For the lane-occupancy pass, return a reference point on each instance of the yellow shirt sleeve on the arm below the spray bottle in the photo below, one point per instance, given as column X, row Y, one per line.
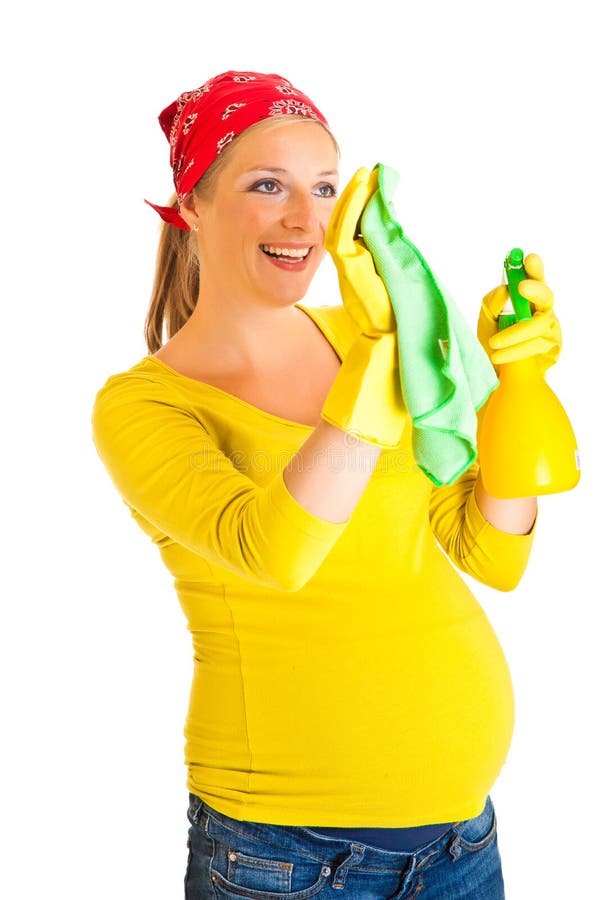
column 493, row 557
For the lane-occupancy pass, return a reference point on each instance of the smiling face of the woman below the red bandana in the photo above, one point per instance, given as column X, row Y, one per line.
column 261, row 234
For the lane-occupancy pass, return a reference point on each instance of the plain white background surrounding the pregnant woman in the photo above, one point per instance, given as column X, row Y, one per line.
column 495, row 115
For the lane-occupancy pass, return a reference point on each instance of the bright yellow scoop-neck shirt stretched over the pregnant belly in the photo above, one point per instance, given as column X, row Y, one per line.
column 344, row 674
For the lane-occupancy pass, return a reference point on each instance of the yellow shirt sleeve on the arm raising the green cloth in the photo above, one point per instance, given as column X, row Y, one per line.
column 166, row 467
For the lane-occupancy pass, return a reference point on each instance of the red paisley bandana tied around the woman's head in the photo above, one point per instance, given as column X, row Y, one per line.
column 201, row 123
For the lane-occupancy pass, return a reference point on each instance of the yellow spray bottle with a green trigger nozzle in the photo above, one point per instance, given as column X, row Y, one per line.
column 526, row 443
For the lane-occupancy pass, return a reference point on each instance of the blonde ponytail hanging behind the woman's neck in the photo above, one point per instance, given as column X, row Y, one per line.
column 176, row 284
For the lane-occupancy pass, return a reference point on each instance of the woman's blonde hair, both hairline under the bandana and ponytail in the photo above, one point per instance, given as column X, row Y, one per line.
column 176, row 280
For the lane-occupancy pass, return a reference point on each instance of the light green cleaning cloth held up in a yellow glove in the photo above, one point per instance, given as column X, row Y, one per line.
column 445, row 374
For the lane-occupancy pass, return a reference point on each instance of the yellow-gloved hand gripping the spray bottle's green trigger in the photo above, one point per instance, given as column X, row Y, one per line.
column 539, row 336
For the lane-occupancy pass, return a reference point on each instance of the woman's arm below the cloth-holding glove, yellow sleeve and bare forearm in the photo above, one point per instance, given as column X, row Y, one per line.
column 165, row 466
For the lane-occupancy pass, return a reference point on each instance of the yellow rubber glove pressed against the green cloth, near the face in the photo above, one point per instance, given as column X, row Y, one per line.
column 365, row 398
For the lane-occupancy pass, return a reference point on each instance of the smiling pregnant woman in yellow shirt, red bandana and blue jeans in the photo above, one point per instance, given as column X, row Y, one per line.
column 351, row 707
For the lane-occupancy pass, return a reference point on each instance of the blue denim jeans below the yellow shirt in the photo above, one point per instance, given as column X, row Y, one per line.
column 229, row 859
